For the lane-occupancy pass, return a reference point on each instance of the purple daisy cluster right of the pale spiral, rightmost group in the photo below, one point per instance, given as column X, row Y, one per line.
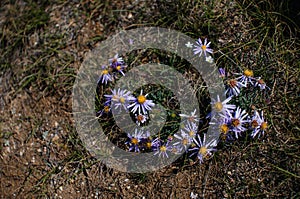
column 235, row 121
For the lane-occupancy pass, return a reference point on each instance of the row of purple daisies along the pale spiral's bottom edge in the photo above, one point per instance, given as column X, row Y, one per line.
column 141, row 141
